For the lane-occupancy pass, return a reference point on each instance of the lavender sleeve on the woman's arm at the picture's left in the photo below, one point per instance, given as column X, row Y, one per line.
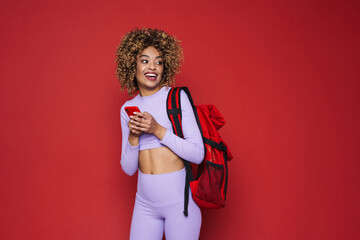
column 129, row 153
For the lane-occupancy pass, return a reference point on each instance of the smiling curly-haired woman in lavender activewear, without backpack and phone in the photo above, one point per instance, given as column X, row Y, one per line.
column 147, row 62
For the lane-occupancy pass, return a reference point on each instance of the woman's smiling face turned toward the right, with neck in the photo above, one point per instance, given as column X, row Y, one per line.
column 149, row 69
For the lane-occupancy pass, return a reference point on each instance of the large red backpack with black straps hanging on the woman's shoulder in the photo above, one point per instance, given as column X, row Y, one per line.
column 210, row 185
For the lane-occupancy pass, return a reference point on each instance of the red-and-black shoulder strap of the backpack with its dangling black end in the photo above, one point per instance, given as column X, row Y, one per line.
column 173, row 106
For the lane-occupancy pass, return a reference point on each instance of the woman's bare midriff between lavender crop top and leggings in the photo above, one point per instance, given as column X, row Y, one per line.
column 159, row 160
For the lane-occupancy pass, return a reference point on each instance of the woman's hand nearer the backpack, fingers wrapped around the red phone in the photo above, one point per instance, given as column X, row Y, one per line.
column 145, row 122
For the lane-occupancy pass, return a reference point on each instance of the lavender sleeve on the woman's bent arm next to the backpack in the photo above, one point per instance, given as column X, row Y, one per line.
column 191, row 148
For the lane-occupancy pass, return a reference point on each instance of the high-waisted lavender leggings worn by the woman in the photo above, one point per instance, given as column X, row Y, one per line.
column 159, row 207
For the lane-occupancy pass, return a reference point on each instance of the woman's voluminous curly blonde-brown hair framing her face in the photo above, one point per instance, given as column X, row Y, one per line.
column 133, row 43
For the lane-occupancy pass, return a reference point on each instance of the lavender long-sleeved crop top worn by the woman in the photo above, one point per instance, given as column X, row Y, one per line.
column 191, row 148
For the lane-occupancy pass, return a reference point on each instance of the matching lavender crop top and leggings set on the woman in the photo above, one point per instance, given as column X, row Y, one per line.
column 159, row 200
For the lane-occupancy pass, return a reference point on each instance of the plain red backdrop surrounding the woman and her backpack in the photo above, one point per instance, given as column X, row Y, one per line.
column 285, row 75
